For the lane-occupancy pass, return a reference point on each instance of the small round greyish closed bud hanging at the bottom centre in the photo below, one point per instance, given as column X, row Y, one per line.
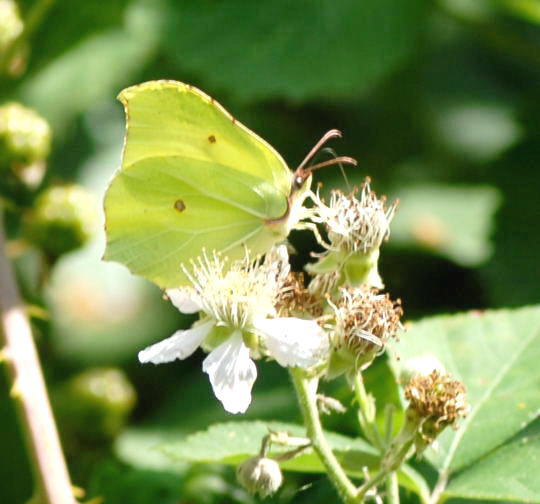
column 260, row 475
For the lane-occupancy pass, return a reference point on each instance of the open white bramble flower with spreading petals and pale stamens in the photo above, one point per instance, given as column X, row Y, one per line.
column 237, row 305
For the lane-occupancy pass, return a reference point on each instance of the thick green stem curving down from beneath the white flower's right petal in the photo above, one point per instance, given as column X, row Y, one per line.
column 308, row 405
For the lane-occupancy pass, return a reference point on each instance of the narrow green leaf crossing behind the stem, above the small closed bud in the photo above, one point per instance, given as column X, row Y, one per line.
column 232, row 442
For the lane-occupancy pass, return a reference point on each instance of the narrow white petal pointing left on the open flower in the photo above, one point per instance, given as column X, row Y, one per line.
column 179, row 346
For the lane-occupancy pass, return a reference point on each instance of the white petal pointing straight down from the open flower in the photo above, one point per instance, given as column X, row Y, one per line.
column 232, row 373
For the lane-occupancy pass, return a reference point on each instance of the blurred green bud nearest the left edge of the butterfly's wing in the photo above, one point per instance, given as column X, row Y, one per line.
column 62, row 220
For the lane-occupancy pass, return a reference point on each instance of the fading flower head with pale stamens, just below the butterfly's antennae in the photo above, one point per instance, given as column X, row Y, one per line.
column 356, row 229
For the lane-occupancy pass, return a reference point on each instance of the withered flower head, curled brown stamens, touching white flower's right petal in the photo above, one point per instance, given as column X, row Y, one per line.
column 364, row 321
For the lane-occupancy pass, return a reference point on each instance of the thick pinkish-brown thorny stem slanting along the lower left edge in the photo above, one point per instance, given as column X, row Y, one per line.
column 53, row 485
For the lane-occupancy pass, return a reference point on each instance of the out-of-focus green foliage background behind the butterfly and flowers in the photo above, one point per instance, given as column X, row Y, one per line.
column 437, row 100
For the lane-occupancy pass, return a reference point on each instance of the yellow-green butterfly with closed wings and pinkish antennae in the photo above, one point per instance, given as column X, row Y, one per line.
column 194, row 178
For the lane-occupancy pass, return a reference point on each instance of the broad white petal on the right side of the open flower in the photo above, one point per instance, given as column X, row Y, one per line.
column 294, row 342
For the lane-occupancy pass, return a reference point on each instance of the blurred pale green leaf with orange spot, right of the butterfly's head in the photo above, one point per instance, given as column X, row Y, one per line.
column 438, row 218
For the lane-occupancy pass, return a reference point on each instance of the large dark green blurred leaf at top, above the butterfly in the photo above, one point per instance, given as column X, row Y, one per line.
column 298, row 50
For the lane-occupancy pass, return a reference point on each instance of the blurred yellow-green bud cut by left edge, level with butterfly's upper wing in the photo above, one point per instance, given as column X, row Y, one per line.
column 25, row 137
